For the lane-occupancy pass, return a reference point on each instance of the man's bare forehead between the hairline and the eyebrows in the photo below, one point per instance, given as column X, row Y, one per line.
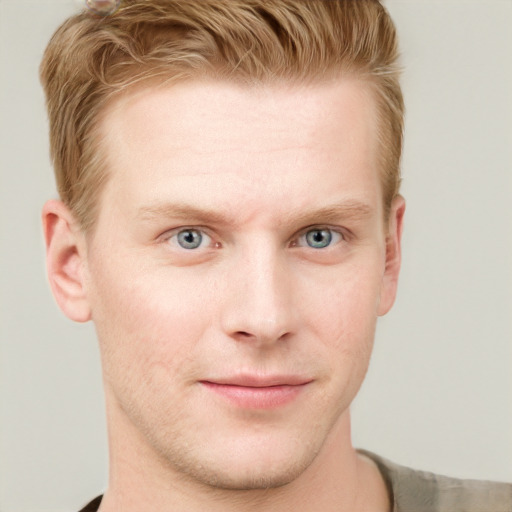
column 226, row 144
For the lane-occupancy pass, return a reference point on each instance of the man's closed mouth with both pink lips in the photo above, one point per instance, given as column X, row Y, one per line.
column 254, row 392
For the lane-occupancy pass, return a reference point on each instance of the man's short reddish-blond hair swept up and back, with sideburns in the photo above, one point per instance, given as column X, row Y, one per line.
column 90, row 59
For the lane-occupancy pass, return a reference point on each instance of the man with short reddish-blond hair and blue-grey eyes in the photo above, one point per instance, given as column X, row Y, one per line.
column 230, row 219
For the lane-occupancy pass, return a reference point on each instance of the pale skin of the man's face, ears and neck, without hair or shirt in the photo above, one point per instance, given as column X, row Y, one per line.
column 235, row 274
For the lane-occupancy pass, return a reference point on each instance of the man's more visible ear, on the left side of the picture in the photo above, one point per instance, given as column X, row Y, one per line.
column 65, row 259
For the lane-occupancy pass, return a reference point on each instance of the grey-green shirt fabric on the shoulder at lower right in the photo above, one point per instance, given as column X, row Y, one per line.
column 421, row 491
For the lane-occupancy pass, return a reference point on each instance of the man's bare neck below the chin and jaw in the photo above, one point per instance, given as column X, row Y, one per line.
column 338, row 480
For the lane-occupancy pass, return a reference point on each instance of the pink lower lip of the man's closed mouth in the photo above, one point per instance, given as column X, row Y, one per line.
column 247, row 397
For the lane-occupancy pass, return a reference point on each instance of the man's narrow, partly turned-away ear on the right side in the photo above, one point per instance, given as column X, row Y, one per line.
column 393, row 255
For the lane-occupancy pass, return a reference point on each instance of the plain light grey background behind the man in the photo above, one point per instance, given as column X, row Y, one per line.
column 439, row 392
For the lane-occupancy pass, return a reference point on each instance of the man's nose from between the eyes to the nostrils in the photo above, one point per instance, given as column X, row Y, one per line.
column 259, row 298
